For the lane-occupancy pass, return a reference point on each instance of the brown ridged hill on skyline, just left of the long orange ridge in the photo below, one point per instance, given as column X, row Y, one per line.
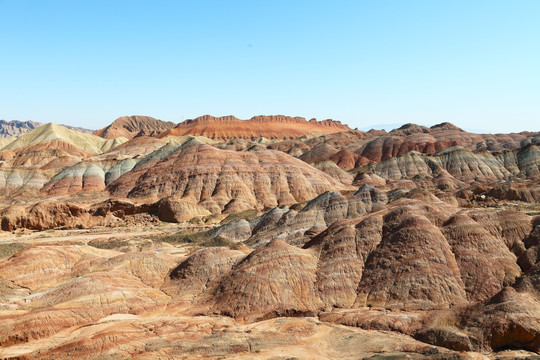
column 131, row 126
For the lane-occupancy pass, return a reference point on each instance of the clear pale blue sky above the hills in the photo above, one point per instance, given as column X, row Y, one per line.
column 85, row 63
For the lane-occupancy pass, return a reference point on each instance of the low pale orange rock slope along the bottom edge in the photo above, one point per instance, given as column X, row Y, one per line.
column 167, row 336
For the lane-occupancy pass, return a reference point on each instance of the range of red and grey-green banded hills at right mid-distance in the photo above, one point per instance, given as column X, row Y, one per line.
column 443, row 155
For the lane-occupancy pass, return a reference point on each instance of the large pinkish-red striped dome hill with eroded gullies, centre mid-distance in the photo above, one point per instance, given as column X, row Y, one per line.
column 223, row 180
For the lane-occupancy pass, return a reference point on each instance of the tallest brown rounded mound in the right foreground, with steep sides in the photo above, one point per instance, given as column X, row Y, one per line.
column 414, row 249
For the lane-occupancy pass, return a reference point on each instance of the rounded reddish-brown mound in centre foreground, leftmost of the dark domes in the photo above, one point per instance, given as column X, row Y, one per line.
column 255, row 289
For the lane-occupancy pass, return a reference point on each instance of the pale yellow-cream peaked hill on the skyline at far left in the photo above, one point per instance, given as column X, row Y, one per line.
column 51, row 132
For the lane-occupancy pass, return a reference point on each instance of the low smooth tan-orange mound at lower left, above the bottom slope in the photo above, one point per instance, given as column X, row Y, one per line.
column 91, row 297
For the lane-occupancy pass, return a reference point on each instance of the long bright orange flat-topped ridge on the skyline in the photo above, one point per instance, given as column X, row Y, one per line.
column 270, row 127
